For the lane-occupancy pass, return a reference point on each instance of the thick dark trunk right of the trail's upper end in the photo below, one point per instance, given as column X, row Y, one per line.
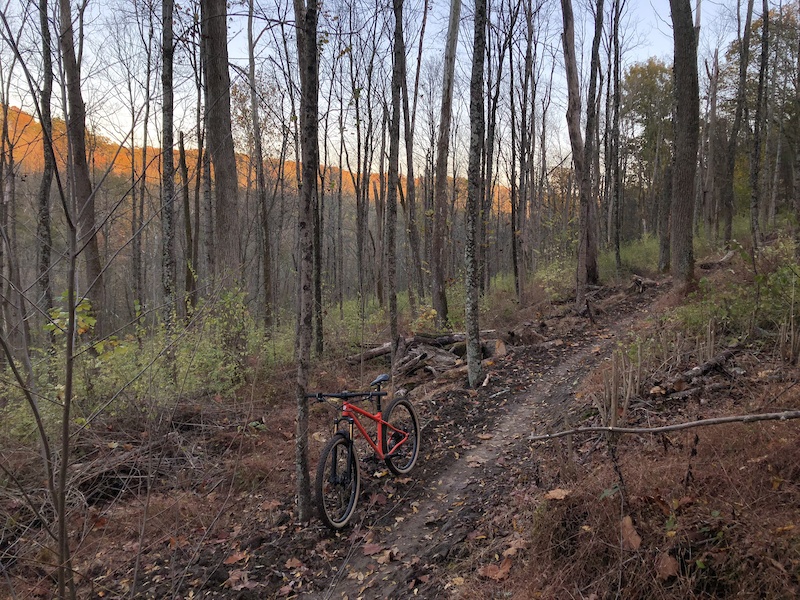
column 687, row 130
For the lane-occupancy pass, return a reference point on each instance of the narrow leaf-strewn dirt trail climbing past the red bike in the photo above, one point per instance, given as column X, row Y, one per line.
column 392, row 556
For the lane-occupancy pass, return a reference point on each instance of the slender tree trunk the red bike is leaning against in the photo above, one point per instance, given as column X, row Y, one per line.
column 306, row 25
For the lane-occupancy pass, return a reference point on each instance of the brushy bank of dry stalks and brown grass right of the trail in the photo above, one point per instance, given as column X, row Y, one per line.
column 704, row 513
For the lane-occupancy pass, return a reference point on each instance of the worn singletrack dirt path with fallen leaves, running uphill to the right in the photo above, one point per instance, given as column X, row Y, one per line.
column 400, row 549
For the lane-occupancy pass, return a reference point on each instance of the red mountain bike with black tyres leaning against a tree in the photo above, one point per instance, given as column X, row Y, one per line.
column 396, row 441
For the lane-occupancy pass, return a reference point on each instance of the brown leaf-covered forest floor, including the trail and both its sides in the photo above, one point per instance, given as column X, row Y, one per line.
column 487, row 512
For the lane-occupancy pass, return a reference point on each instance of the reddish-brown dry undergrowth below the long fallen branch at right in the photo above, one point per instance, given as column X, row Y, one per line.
column 711, row 514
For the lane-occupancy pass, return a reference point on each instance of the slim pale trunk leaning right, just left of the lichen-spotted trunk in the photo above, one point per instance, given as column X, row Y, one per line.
column 438, row 285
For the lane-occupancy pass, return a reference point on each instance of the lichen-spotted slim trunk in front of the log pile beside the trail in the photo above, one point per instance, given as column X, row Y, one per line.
column 474, row 186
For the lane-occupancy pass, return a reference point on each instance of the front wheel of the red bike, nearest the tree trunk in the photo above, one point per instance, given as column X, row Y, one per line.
column 338, row 482
